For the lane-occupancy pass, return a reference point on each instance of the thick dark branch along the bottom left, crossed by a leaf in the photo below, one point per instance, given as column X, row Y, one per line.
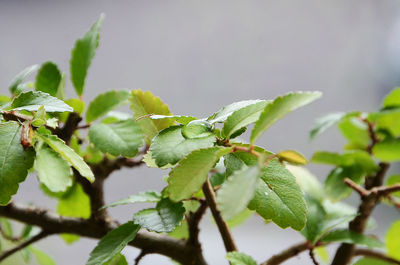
column 150, row 242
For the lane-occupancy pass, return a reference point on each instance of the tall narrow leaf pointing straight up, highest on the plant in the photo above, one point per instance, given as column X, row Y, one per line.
column 82, row 55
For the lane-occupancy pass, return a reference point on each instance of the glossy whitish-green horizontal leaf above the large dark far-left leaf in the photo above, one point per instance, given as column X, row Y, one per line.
column 33, row 100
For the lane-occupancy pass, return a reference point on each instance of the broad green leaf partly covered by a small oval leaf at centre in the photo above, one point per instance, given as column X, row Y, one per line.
column 169, row 146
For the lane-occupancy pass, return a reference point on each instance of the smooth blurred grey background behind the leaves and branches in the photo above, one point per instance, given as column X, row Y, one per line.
column 200, row 55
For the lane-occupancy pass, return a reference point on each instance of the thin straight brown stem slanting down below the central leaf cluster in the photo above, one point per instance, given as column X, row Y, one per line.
column 222, row 226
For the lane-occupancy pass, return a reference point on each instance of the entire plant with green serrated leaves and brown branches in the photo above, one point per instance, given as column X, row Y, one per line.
column 40, row 133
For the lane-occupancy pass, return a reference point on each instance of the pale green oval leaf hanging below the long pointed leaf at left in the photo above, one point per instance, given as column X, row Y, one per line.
column 53, row 171
